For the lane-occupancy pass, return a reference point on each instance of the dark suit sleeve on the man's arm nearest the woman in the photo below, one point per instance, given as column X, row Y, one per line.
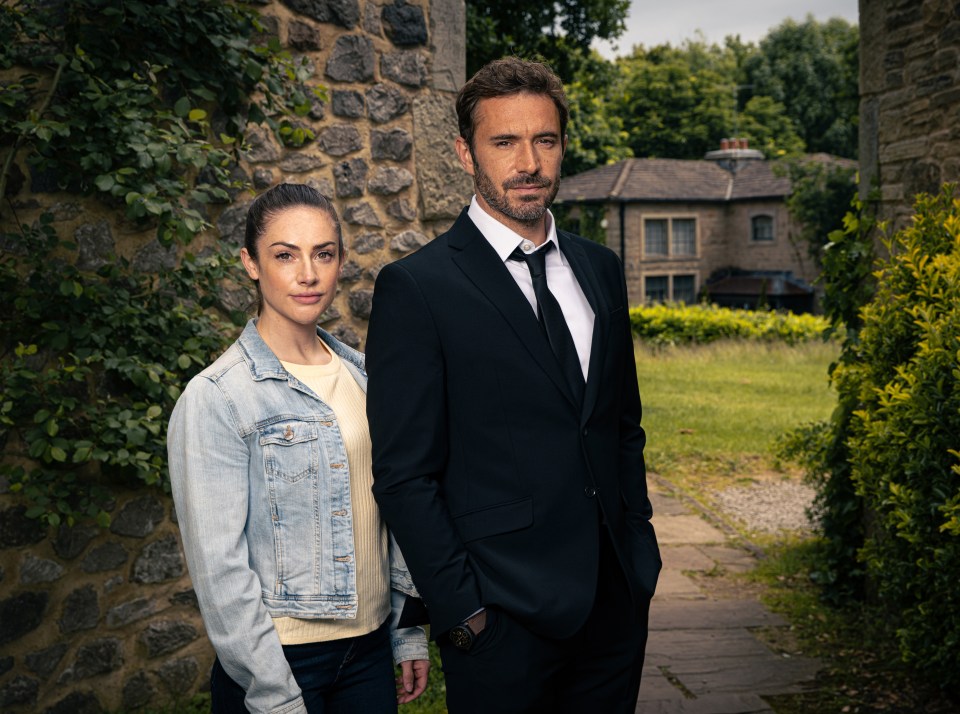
column 406, row 408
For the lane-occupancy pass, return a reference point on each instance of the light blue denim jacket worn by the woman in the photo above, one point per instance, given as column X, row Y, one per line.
column 261, row 485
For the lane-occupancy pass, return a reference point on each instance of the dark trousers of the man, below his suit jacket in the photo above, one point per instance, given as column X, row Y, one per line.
column 511, row 670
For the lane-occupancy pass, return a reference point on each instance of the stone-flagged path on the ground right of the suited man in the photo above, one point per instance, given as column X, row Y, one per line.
column 702, row 655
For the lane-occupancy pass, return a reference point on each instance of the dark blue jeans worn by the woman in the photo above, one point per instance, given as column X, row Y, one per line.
column 348, row 676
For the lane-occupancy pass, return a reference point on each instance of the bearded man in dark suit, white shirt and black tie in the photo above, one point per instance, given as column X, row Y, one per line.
column 505, row 419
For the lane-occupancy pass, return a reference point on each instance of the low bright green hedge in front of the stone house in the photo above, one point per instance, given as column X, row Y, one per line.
column 685, row 324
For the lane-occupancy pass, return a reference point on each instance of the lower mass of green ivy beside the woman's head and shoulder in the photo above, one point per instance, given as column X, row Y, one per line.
column 91, row 365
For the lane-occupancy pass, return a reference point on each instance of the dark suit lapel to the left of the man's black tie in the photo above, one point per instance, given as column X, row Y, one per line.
column 483, row 267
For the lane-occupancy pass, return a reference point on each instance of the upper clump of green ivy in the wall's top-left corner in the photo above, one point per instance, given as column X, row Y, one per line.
column 142, row 103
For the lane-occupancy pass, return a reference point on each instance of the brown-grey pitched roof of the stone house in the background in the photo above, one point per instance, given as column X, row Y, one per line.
column 674, row 180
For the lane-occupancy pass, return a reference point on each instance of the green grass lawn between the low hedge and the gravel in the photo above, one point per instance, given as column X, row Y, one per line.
column 716, row 411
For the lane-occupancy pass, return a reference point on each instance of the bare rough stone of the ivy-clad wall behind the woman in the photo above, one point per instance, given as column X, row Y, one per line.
column 95, row 620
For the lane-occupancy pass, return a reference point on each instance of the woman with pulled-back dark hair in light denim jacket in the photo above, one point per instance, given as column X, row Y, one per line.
column 299, row 583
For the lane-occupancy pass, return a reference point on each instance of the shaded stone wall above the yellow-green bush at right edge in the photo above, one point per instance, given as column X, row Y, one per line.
column 909, row 100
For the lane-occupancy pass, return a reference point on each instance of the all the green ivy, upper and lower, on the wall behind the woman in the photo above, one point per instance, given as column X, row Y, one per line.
column 144, row 106
